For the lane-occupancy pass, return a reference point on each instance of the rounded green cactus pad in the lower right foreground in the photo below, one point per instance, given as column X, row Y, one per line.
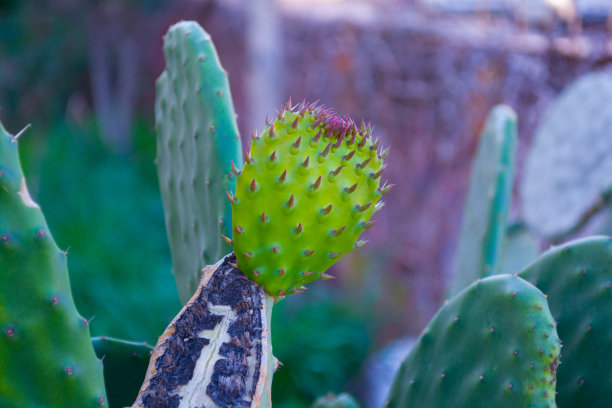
column 493, row 345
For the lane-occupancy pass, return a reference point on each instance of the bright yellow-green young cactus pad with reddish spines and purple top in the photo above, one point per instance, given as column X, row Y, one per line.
column 309, row 186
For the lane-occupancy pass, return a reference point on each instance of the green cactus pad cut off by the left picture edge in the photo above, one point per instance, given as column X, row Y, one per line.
column 46, row 356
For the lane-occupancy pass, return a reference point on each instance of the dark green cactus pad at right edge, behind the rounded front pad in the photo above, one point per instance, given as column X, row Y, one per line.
column 577, row 277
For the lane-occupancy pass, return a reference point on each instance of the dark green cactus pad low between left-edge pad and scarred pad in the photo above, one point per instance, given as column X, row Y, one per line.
column 125, row 366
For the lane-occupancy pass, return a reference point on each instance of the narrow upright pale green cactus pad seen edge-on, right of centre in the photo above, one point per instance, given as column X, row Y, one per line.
column 488, row 201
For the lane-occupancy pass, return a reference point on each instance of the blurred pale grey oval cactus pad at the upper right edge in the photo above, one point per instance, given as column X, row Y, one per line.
column 569, row 168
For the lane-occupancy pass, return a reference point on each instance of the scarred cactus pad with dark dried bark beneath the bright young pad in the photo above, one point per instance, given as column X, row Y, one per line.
column 217, row 350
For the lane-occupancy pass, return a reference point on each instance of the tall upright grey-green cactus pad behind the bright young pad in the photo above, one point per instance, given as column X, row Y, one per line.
column 197, row 141
